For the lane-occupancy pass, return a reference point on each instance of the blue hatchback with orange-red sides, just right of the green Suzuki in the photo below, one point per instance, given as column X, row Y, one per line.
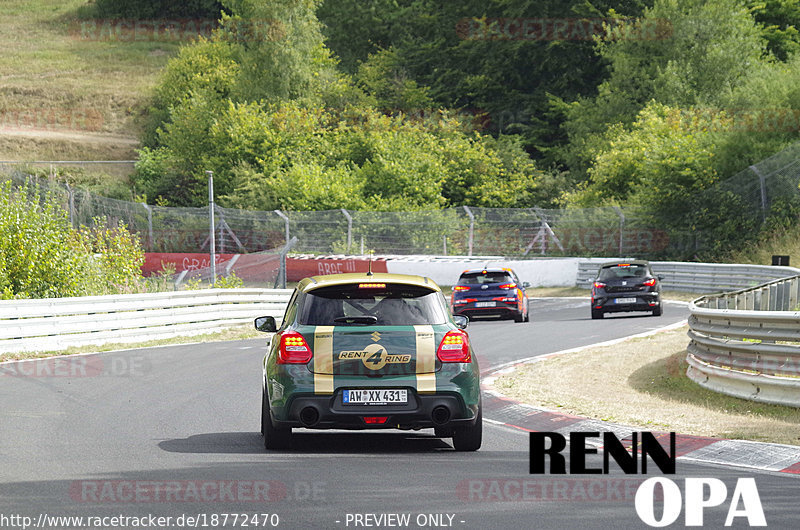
column 490, row 292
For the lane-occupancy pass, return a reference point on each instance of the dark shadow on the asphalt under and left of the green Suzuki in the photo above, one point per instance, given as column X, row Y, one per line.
column 308, row 442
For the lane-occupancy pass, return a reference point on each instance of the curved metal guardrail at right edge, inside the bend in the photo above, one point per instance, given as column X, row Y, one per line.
column 746, row 343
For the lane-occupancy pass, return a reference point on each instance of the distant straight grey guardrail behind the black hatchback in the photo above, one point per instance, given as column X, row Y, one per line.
column 700, row 277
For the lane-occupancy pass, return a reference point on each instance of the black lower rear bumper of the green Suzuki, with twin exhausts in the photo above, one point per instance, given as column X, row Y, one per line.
column 329, row 412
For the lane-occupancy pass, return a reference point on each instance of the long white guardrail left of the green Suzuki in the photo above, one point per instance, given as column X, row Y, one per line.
column 58, row 323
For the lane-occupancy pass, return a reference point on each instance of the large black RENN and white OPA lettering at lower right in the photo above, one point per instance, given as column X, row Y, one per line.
column 691, row 496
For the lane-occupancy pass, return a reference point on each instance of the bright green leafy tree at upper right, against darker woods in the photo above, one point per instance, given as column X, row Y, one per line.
column 710, row 48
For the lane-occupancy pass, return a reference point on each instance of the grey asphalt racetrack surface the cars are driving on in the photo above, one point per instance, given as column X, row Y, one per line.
column 81, row 436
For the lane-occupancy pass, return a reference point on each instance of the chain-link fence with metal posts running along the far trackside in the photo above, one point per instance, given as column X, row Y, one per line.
column 463, row 231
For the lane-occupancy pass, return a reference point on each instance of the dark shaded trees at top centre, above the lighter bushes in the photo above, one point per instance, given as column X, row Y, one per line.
column 460, row 51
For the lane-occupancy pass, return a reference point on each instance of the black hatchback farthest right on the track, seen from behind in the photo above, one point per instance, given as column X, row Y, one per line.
column 626, row 286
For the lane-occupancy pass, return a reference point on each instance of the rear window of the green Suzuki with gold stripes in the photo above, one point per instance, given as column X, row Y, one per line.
column 387, row 305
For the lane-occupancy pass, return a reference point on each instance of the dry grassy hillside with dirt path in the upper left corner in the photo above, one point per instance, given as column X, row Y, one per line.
column 68, row 93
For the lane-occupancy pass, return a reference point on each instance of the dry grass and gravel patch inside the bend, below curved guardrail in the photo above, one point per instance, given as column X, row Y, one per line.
column 642, row 383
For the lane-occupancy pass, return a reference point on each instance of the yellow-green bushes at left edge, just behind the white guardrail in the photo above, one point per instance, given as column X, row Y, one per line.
column 41, row 256
